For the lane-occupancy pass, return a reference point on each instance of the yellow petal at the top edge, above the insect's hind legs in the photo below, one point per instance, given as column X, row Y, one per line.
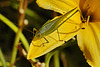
column 61, row 6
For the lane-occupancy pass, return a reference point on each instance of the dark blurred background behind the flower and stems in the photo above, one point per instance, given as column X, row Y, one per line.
column 36, row 17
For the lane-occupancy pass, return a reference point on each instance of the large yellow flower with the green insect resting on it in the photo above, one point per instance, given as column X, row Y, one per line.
column 87, row 23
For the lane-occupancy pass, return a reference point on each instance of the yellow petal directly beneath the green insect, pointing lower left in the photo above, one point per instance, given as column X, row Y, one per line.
column 70, row 30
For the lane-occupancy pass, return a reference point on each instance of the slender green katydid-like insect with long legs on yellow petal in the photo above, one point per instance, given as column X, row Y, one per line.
column 52, row 25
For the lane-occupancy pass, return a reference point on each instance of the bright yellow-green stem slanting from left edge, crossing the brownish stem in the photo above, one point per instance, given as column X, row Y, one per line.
column 15, row 29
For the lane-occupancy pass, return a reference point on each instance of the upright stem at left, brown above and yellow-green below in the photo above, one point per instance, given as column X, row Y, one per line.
column 22, row 7
